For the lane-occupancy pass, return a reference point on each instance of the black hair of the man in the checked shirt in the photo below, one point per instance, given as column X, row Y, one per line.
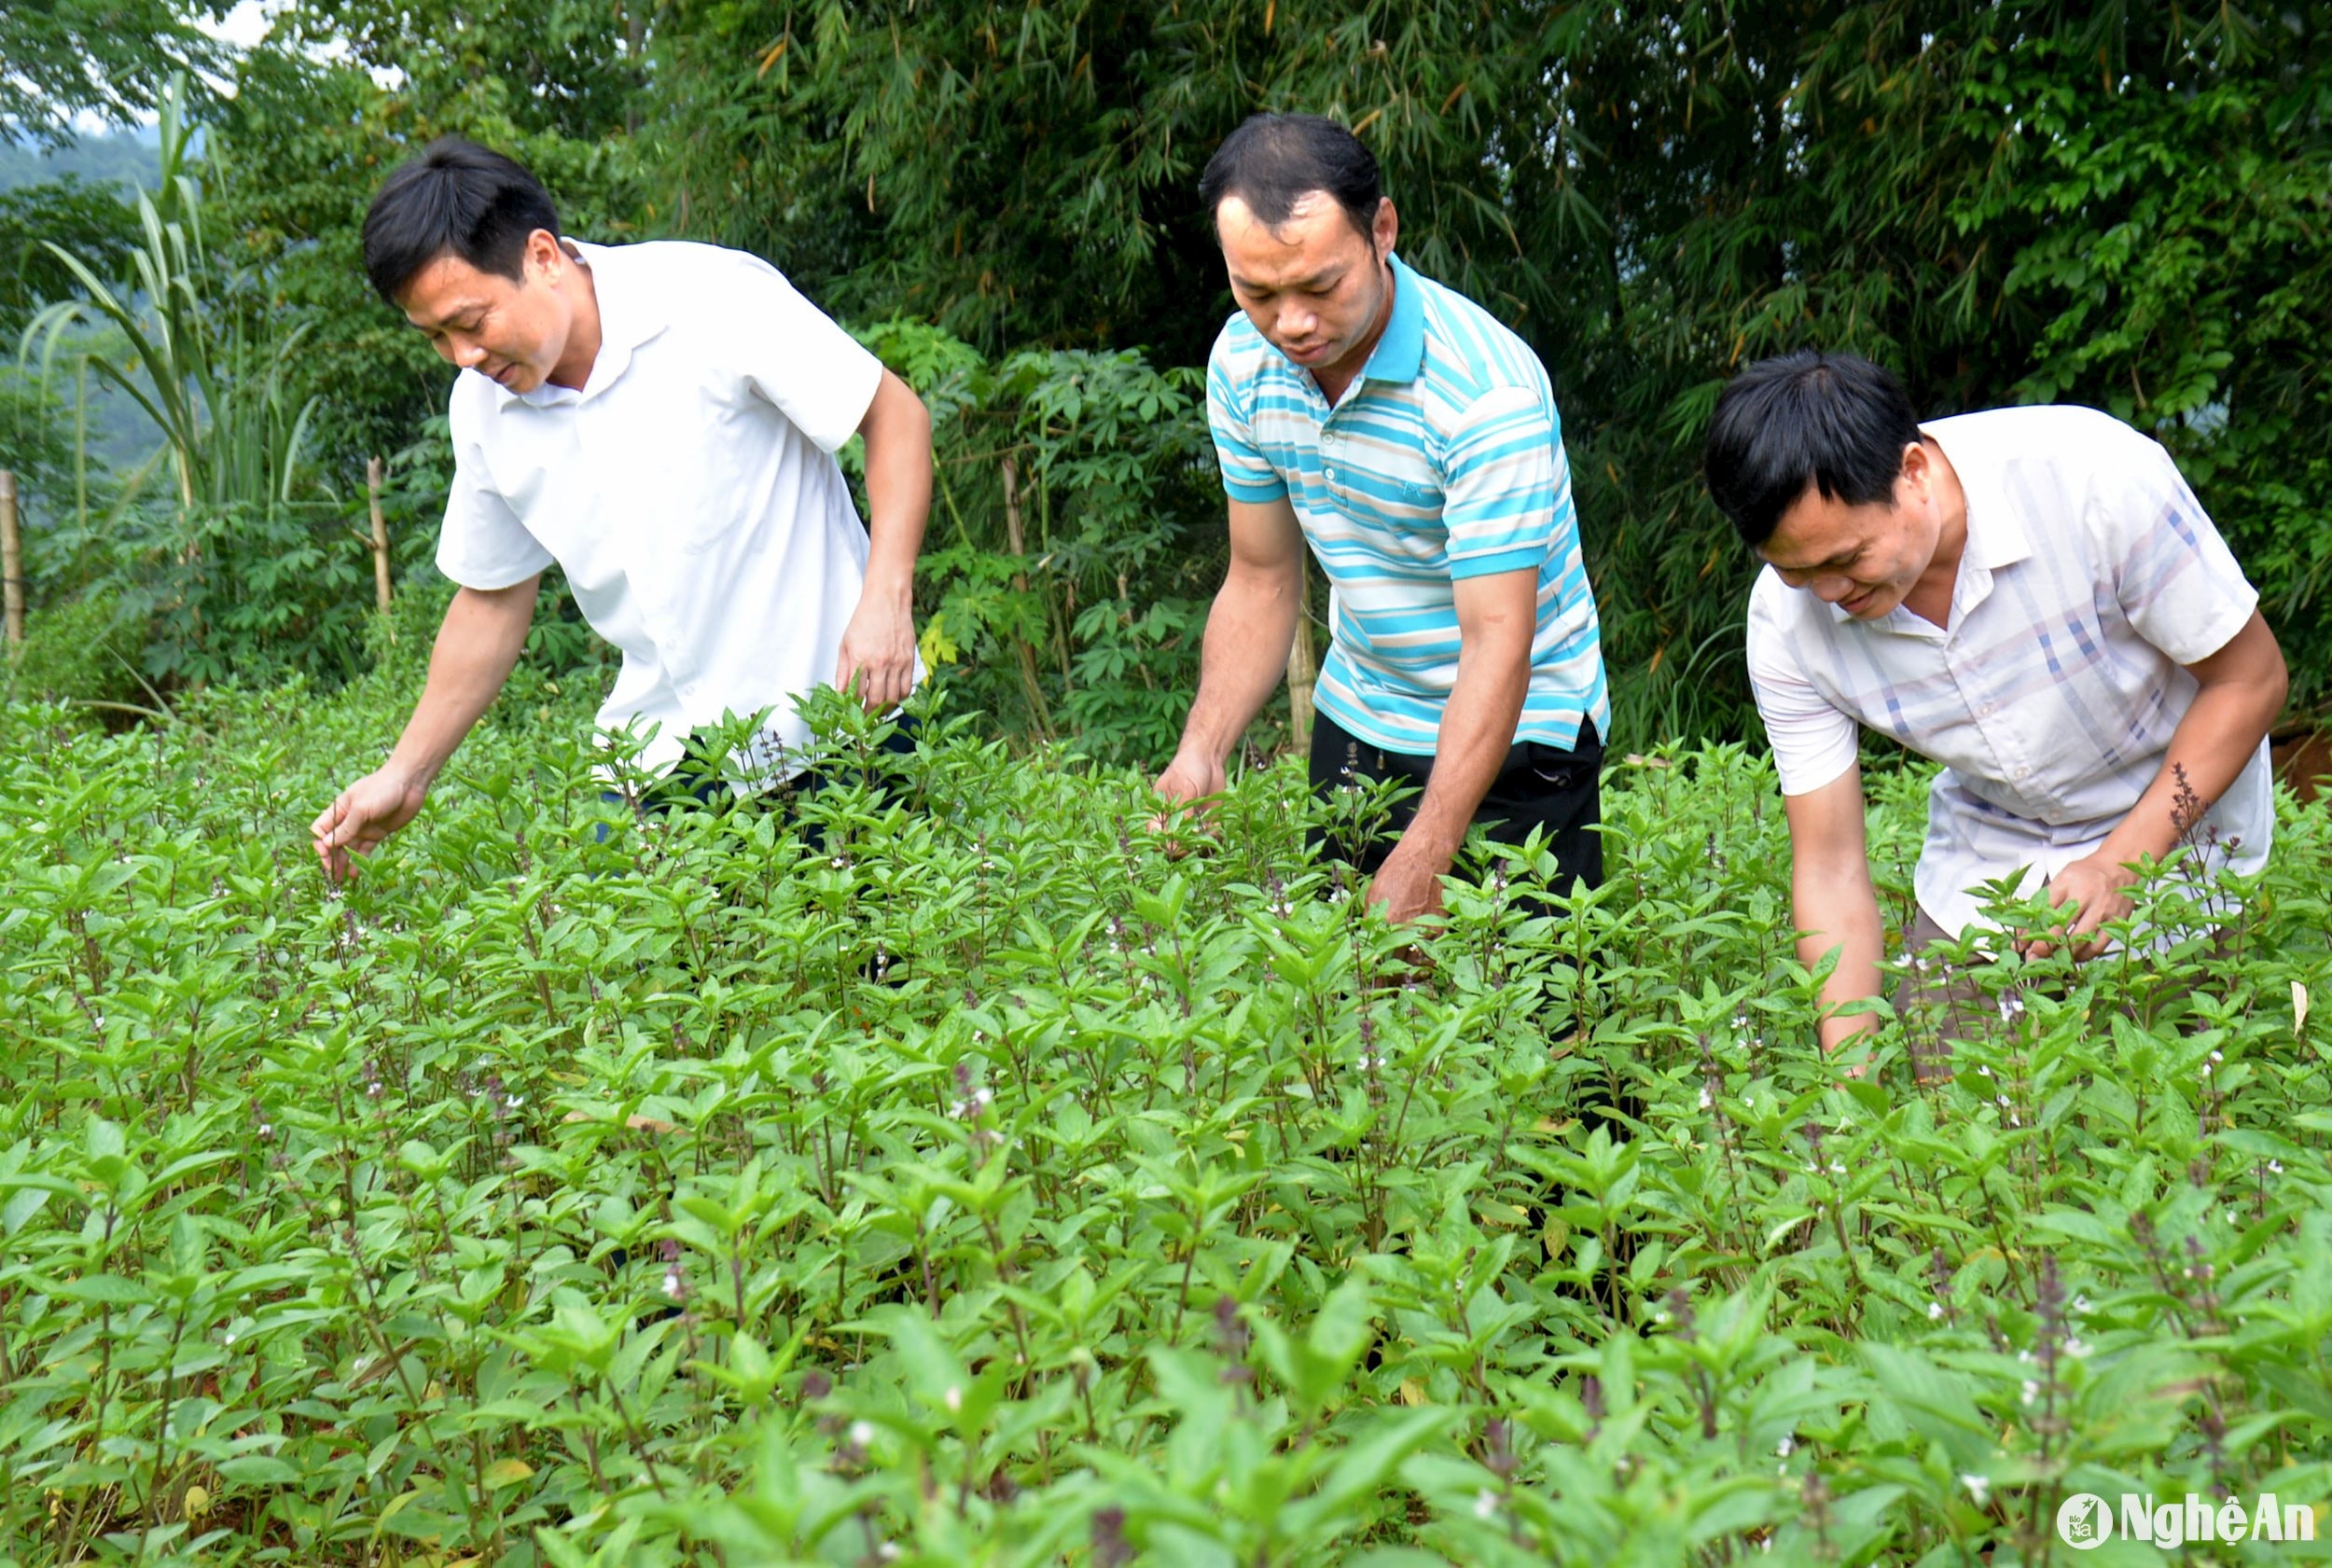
column 1806, row 421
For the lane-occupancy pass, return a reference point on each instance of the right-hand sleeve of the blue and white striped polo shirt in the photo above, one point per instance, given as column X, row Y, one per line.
column 1508, row 491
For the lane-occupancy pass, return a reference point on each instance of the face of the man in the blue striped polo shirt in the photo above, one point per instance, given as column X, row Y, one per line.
column 1316, row 288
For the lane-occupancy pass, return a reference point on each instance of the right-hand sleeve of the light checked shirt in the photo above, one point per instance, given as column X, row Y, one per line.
column 2172, row 575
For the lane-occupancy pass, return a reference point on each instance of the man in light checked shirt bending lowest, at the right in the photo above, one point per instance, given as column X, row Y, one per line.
column 2030, row 598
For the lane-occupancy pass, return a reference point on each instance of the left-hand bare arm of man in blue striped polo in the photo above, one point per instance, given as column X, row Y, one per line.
column 1249, row 633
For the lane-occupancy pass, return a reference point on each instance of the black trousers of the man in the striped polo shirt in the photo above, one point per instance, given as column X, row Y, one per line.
column 1538, row 787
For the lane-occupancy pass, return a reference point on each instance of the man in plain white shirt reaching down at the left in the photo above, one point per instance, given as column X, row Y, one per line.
column 661, row 423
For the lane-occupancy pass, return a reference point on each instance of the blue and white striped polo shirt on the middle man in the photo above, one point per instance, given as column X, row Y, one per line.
column 1442, row 461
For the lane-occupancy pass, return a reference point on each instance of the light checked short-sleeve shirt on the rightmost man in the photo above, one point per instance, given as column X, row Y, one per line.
column 2091, row 577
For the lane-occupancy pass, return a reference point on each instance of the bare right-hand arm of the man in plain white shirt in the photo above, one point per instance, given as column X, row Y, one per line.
column 878, row 645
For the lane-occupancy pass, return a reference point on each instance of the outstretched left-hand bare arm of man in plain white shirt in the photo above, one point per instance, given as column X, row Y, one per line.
column 477, row 645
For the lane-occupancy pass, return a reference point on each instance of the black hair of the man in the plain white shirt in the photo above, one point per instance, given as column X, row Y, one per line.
column 456, row 199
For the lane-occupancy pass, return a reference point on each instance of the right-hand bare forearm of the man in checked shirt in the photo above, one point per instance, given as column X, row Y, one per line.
column 2242, row 692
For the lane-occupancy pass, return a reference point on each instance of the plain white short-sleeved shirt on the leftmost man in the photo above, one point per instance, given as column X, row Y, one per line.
column 689, row 489
